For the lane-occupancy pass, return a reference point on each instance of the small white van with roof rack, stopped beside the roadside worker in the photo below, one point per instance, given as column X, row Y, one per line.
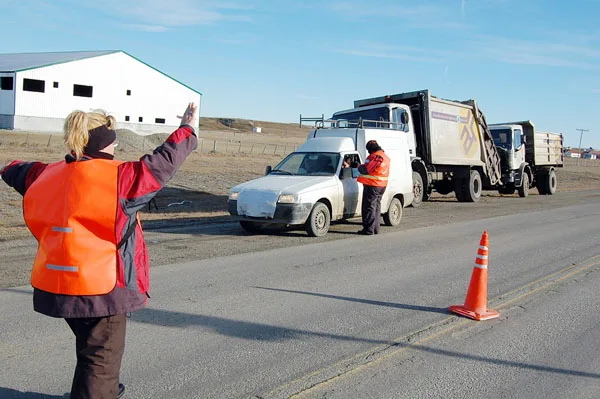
column 312, row 186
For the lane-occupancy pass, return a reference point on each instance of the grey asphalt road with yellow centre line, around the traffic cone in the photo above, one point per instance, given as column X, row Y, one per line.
column 355, row 318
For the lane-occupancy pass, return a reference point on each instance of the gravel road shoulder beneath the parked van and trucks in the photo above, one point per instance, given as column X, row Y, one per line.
column 174, row 241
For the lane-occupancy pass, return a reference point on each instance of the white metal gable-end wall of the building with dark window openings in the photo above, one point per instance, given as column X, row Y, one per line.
column 153, row 94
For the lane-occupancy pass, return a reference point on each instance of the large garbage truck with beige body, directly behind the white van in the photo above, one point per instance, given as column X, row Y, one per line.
column 450, row 145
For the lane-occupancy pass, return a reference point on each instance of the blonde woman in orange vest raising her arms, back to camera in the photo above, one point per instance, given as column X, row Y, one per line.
column 92, row 267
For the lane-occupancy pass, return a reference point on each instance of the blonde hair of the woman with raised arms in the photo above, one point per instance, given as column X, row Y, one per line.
column 77, row 127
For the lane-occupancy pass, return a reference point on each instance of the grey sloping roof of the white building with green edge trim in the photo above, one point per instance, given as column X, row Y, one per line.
column 23, row 61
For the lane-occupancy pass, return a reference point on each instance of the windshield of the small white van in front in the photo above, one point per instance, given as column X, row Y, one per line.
column 308, row 164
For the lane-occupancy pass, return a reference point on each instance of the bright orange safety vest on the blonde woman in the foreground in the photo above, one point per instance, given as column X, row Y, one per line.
column 71, row 210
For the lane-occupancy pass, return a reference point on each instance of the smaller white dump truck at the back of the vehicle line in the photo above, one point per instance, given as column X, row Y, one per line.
column 528, row 158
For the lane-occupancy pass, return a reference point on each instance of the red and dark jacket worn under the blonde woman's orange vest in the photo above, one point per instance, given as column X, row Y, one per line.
column 138, row 182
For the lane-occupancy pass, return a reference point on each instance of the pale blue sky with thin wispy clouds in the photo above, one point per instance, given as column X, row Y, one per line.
column 273, row 60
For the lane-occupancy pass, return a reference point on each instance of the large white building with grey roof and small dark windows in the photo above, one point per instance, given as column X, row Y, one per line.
column 38, row 90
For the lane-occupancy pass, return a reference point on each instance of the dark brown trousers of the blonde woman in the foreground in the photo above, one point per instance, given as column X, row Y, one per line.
column 100, row 343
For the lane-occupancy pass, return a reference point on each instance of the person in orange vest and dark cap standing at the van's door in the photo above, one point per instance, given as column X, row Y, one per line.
column 374, row 175
